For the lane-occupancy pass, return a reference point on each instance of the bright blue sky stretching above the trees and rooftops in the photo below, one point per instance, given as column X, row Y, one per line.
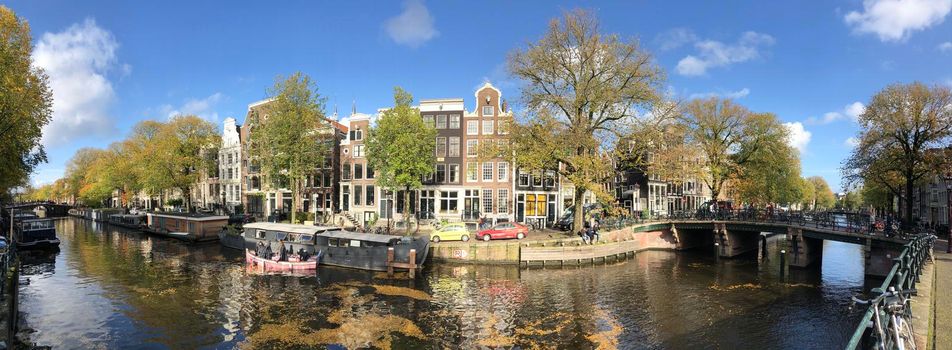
column 813, row 63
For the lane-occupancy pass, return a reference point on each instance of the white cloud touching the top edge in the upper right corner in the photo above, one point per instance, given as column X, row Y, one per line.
column 895, row 20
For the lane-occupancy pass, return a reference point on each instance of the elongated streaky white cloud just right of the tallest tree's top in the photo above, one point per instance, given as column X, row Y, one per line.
column 713, row 54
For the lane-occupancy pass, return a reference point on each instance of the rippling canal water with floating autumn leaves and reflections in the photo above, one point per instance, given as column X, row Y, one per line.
column 110, row 287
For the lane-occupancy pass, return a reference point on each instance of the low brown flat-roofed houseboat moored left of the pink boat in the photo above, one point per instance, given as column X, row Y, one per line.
column 196, row 226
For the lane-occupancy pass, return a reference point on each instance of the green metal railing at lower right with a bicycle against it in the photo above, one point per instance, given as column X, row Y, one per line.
column 903, row 275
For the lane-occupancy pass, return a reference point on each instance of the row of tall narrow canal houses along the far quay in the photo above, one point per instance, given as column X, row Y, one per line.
column 343, row 190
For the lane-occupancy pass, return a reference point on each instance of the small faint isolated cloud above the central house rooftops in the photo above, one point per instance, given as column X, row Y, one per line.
column 412, row 27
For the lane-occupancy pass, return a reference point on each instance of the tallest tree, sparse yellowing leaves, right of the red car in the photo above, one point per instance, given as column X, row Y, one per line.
column 582, row 88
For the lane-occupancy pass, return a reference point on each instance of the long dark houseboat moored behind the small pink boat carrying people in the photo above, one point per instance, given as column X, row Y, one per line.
column 337, row 247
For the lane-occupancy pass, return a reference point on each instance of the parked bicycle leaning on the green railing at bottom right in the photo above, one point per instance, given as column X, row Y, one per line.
column 891, row 319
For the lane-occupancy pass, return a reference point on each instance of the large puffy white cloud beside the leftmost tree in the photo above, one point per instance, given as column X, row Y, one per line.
column 77, row 61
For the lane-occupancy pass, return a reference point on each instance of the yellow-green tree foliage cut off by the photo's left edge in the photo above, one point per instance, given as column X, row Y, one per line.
column 25, row 103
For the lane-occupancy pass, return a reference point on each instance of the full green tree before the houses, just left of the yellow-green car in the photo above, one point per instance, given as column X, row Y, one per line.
column 400, row 147
